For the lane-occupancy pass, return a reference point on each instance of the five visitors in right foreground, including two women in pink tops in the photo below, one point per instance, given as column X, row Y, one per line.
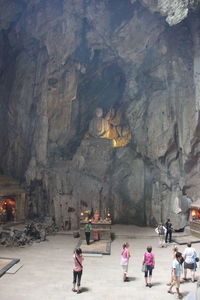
column 187, row 260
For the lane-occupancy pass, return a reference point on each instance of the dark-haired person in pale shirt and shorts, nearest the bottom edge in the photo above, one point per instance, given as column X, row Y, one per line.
column 176, row 267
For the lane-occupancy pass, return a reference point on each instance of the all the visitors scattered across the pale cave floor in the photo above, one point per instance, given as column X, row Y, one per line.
column 181, row 262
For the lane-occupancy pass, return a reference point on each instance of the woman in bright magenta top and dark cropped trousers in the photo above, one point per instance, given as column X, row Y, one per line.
column 149, row 261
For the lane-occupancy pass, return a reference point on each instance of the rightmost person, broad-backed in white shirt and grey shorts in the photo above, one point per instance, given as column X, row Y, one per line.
column 189, row 255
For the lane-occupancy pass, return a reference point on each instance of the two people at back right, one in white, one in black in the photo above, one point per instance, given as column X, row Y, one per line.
column 164, row 233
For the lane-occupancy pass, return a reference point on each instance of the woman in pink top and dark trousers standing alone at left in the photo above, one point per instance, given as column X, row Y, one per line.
column 77, row 270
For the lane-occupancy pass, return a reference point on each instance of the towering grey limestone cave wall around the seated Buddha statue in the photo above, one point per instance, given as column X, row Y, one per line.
column 60, row 61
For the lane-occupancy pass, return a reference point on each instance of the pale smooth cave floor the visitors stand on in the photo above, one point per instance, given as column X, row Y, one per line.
column 47, row 270
